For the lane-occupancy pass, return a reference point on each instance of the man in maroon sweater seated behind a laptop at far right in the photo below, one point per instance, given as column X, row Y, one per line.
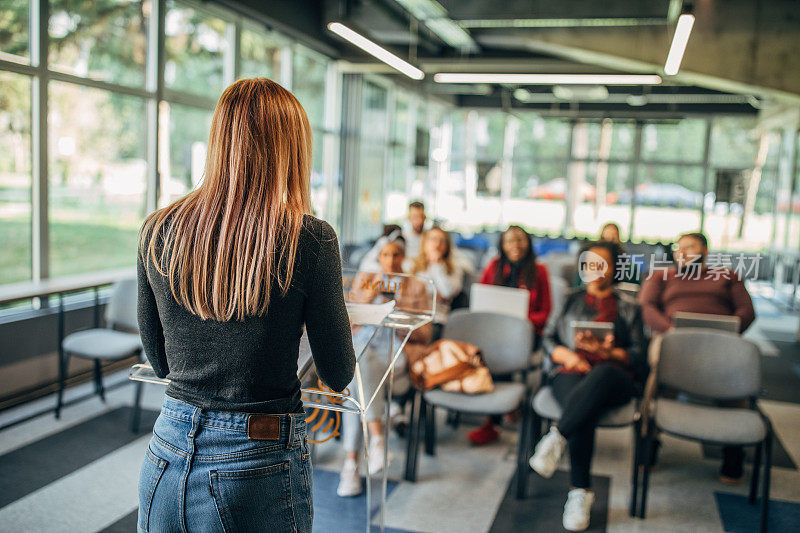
column 691, row 287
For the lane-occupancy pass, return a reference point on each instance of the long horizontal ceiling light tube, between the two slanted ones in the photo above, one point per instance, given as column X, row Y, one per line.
column 549, row 79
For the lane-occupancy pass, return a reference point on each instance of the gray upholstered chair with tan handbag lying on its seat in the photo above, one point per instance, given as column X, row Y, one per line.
column 506, row 344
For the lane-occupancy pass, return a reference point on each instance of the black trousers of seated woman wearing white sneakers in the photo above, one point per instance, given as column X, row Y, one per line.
column 583, row 399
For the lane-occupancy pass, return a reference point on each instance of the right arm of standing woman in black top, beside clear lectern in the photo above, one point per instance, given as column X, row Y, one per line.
column 326, row 319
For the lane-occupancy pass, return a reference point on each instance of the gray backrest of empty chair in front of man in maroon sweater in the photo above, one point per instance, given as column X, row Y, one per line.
column 709, row 363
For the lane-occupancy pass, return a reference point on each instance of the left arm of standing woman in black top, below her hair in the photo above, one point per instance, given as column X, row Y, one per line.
column 150, row 328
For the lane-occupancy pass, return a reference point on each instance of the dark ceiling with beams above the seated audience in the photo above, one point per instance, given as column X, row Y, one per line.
column 739, row 54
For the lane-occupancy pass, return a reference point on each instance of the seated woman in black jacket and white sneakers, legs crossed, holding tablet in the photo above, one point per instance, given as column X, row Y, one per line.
column 594, row 374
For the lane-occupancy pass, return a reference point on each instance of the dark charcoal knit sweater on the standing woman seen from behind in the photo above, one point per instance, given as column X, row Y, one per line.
column 251, row 365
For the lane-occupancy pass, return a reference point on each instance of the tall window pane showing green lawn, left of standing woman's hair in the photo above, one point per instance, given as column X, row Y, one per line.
column 97, row 178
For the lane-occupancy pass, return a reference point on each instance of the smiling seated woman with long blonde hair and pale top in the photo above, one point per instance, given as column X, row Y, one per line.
column 436, row 263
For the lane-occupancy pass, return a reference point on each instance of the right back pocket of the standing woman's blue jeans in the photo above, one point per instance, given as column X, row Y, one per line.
column 255, row 499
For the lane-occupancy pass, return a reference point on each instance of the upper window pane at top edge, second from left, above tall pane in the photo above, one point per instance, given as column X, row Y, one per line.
column 101, row 40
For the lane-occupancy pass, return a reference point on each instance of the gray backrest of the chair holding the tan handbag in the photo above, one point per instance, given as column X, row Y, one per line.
column 505, row 341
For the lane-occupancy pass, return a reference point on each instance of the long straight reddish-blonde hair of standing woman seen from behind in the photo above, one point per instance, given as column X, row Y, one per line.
column 225, row 243
